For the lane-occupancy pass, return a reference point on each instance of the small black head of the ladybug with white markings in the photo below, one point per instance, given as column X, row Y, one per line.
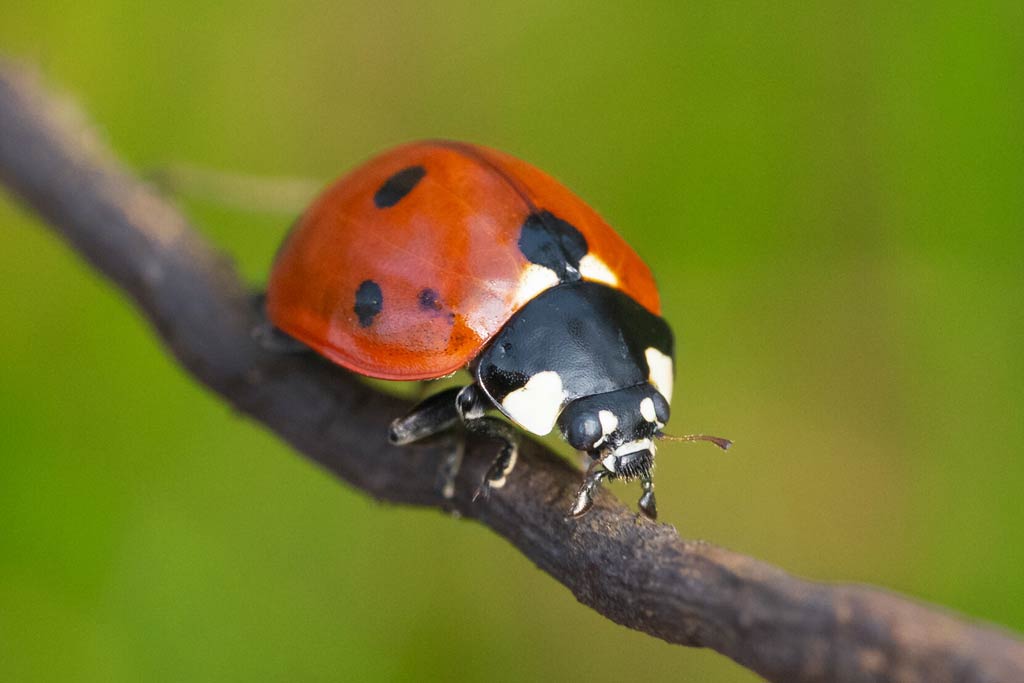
column 618, row 429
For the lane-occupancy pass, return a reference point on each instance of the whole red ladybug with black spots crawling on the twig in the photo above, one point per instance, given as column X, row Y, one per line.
column 442, row 255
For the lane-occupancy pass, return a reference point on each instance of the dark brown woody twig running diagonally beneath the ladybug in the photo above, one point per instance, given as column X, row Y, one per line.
column 636, row 573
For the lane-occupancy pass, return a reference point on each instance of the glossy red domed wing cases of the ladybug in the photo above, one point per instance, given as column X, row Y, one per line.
column 445, row 258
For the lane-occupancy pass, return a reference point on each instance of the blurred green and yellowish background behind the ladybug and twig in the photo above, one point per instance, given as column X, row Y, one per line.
column 831, row 197
